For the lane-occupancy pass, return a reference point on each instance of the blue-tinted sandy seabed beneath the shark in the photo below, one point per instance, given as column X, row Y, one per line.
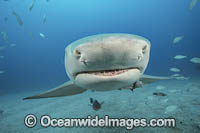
column 182, row 102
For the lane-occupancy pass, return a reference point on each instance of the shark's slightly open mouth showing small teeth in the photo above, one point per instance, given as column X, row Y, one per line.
column 113, row 72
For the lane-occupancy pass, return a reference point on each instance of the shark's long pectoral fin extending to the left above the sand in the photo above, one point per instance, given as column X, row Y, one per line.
column 66, row 89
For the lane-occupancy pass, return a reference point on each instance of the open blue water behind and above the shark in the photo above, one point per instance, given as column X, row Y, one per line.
column 38, row 63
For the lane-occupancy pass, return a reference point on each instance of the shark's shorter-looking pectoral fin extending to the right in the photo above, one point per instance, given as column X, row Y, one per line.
column 147, row 79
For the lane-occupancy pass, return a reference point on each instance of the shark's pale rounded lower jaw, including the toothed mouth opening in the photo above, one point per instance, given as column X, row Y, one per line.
column 104, row 80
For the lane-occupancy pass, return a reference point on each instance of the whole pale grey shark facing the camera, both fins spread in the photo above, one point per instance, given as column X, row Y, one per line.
column 104, row 62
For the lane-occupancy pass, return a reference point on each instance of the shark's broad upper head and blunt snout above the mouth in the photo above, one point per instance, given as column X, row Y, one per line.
column 107, row 55
